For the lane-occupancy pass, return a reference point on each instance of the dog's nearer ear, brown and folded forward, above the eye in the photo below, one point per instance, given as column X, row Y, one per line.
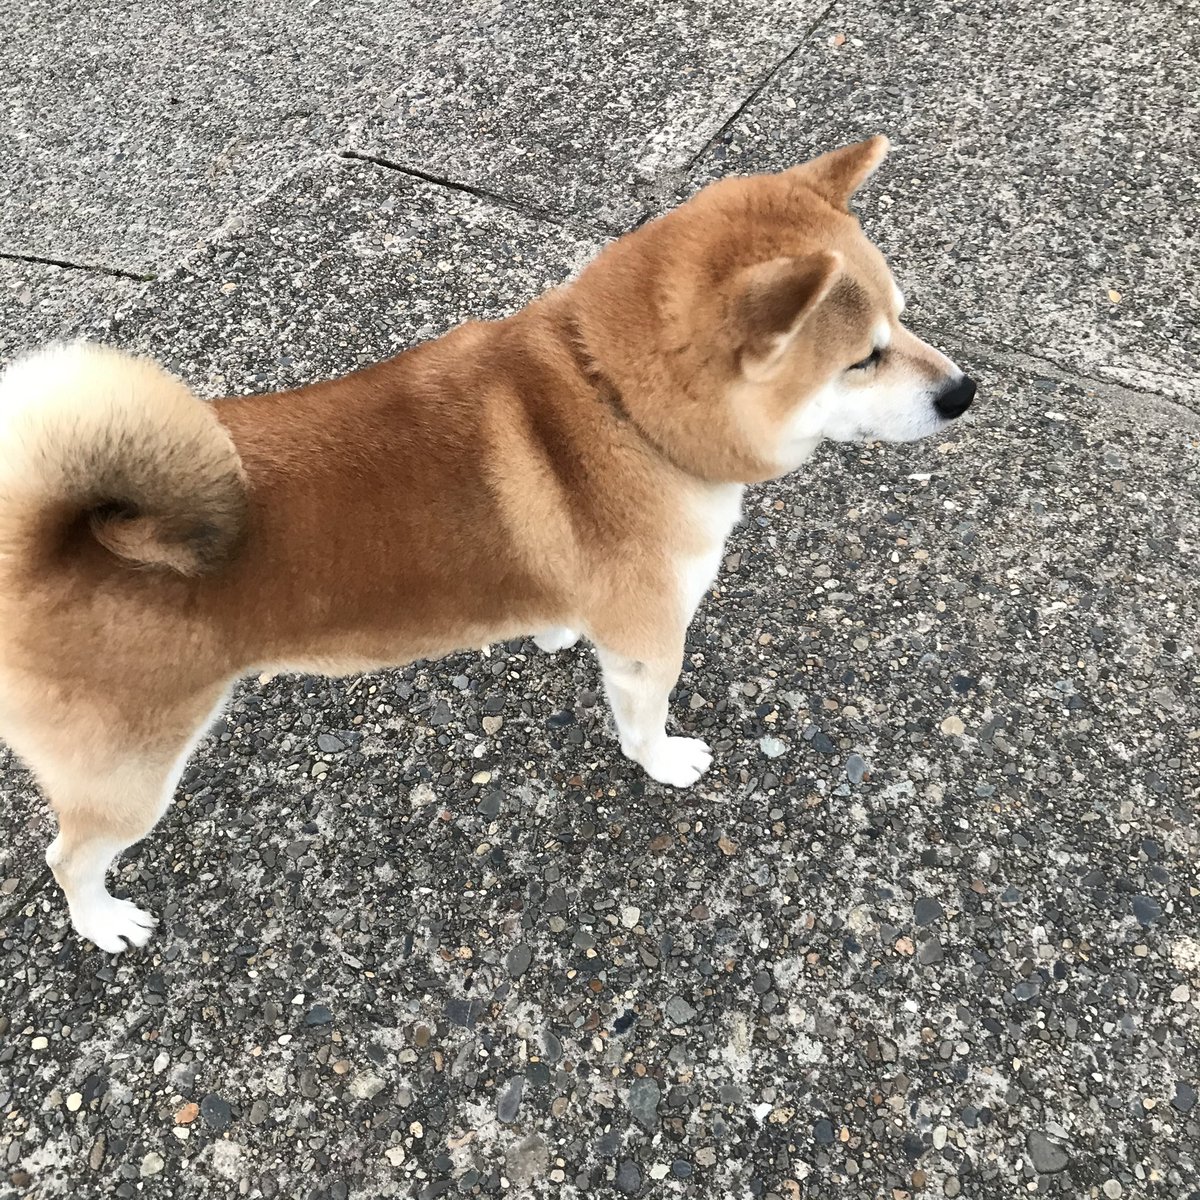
column 773, row 303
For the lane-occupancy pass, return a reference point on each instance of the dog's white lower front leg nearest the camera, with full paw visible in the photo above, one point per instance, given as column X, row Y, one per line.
column 639, row 691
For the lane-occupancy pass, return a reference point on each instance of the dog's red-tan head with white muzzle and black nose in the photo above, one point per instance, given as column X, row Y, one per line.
column 757, row 320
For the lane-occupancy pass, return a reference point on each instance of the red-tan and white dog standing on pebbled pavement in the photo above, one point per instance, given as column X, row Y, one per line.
column 572, row 470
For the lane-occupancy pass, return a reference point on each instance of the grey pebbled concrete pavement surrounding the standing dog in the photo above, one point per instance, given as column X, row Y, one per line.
column 929, row 928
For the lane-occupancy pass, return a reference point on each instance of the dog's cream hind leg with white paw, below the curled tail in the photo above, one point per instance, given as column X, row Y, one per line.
column 105, row 807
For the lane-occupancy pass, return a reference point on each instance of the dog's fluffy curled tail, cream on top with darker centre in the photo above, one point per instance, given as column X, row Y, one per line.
column 95, row 443
